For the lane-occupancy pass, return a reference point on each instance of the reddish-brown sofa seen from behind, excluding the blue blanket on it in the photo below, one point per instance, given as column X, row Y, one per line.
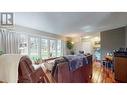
column 62, row 73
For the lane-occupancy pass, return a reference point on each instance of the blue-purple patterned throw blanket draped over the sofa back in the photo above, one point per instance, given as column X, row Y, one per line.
column 76, row 61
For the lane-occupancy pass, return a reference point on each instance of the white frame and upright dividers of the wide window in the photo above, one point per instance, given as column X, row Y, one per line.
column 40, row 46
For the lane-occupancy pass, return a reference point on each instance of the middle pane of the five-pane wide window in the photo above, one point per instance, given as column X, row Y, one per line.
column 44, row 49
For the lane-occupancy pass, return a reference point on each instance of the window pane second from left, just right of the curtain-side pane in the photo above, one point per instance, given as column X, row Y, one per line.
column 34, row 48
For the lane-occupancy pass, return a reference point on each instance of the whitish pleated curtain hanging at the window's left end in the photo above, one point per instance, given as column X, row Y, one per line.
column 8, row 41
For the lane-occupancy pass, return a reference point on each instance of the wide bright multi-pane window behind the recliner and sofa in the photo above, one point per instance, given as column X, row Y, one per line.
column 38, row 47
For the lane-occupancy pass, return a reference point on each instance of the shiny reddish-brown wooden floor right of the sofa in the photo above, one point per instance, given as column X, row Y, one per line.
column 101, row 74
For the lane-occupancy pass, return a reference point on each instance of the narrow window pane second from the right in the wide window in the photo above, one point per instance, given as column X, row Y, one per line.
column 52, row 48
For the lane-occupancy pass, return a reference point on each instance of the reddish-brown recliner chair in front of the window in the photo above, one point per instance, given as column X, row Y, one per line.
column 27, row 74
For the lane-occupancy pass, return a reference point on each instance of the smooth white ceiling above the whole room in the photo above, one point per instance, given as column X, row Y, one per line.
column 71, row 23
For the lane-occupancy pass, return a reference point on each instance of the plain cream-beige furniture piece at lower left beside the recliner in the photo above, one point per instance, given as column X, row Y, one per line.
column 9, row 67
